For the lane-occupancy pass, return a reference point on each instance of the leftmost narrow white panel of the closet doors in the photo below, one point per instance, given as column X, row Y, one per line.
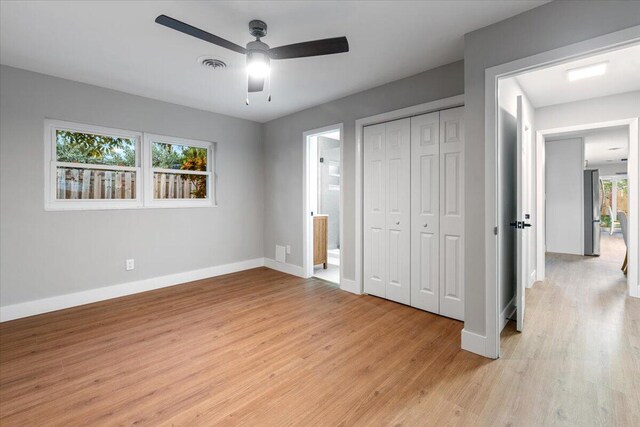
column 375, row 240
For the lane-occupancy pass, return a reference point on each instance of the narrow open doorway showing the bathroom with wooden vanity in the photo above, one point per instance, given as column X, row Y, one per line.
column 323, row 201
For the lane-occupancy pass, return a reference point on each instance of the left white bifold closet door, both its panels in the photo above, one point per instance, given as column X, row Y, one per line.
column 387, row 180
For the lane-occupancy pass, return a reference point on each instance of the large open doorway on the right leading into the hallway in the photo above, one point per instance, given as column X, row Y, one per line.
column 567, row 146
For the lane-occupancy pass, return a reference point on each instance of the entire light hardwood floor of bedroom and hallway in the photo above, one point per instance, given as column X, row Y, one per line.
column 264, row 348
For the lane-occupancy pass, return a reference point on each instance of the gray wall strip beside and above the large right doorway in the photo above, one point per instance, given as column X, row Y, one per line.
column 547, row 27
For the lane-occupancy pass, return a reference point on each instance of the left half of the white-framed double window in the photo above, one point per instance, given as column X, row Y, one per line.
column 91, row 167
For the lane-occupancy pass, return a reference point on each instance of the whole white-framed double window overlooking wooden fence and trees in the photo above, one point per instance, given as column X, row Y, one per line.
column 91, row 167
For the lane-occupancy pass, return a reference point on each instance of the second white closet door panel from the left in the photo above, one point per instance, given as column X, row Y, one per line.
column 398, row 154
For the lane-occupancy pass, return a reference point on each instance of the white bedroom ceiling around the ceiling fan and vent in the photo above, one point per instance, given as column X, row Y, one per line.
column 117, row 45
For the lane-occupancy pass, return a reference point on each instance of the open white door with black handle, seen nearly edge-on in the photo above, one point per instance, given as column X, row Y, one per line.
column 522, row 229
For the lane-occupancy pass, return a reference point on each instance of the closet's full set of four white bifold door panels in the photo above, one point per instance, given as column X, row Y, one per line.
column 413, row 211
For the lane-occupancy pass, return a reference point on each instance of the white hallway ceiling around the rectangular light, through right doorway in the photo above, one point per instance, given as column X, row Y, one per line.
column 550, row 86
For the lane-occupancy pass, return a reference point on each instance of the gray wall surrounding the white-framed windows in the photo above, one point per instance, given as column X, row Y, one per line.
column 45, row 254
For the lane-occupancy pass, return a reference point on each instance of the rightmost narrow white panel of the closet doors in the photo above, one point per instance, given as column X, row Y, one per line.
column 452, row 210
